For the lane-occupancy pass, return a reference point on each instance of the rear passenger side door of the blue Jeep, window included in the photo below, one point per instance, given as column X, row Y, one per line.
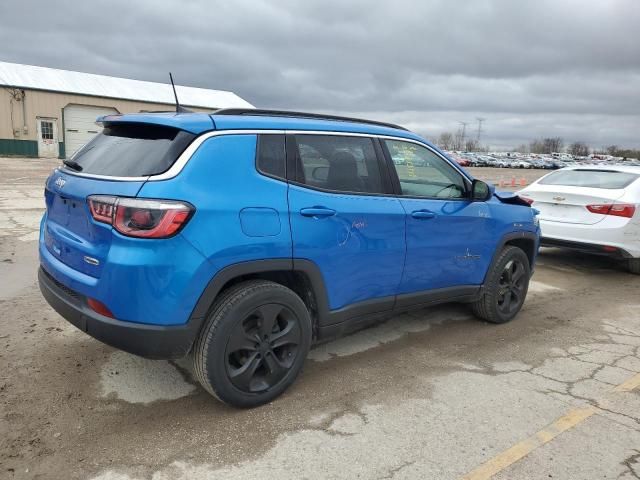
column 344, row 217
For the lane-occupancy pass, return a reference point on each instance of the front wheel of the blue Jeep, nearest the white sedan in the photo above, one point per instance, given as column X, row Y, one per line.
column 502, row 286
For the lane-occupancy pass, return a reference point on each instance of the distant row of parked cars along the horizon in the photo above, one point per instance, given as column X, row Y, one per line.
column 517, row 160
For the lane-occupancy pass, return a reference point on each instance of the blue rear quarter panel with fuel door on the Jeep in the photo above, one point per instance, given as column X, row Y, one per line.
column 241, row 215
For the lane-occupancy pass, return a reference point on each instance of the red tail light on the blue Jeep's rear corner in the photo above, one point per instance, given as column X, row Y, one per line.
column 141, row 217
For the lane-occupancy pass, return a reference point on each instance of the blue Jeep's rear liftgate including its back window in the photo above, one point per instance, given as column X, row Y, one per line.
column 116, row 162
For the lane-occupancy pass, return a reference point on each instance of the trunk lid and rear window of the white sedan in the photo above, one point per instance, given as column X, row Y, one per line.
column 563, row 196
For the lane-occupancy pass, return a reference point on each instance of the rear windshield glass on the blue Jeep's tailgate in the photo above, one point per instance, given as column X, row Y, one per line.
column 132, row 150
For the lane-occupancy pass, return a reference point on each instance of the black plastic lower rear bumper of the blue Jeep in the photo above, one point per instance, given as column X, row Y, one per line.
column 150, row 341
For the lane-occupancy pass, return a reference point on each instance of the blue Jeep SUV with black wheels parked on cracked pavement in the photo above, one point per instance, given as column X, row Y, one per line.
column 243, row 237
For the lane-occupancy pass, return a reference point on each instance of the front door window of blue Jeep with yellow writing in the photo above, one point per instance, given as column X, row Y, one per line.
column 422, row 173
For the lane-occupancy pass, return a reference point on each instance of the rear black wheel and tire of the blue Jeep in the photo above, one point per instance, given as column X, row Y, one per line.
column 253, row 344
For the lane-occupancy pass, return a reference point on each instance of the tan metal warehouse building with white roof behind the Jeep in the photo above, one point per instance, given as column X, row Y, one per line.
column 45, row 112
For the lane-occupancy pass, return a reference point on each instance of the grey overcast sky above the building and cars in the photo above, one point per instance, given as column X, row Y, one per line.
column 534, row 68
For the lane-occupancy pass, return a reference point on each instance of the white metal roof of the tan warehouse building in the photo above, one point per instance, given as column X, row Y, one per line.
column 52, row 79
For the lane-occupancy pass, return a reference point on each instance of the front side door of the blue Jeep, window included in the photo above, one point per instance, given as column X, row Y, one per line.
column 449, row 238
